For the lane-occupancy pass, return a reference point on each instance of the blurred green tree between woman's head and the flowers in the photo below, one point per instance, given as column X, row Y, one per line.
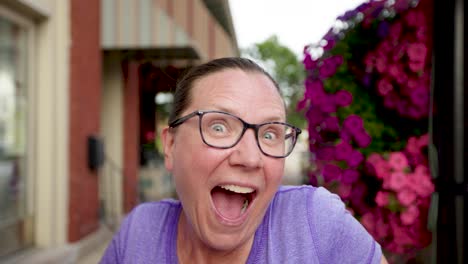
column 285, row 67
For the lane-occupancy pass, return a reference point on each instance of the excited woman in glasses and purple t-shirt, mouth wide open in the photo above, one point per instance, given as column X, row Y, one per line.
column 225, row 147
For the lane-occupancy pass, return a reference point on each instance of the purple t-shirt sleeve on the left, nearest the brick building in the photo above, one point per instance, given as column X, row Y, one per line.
column 115, row 251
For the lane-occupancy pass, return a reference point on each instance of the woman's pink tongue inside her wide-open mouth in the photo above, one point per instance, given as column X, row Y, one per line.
column 228, row 204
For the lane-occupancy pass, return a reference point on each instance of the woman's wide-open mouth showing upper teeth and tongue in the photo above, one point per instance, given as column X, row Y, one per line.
column 232, row 201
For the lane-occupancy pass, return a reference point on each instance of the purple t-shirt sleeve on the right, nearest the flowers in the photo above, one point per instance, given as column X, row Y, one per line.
column 338, row 236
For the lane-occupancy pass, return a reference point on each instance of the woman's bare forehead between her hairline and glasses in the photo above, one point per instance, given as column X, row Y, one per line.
column 238, row 92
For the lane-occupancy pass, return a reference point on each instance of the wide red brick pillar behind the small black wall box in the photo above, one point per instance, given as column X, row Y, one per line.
column 85, row 98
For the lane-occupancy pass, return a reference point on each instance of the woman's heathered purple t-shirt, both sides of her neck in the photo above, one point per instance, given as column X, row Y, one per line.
column 303, row 224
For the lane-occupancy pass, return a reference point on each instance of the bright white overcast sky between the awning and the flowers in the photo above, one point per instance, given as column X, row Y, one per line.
column 295, row 22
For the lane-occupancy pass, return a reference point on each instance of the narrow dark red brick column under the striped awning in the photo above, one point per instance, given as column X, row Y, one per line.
column 131, row 133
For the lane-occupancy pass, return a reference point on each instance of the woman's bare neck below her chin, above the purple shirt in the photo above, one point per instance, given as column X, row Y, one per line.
column 191, row 249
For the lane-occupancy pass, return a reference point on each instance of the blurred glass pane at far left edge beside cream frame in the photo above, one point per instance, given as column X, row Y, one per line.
column 15, row 186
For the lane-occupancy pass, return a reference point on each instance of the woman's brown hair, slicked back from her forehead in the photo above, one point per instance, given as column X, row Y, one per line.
column 182, row 96
